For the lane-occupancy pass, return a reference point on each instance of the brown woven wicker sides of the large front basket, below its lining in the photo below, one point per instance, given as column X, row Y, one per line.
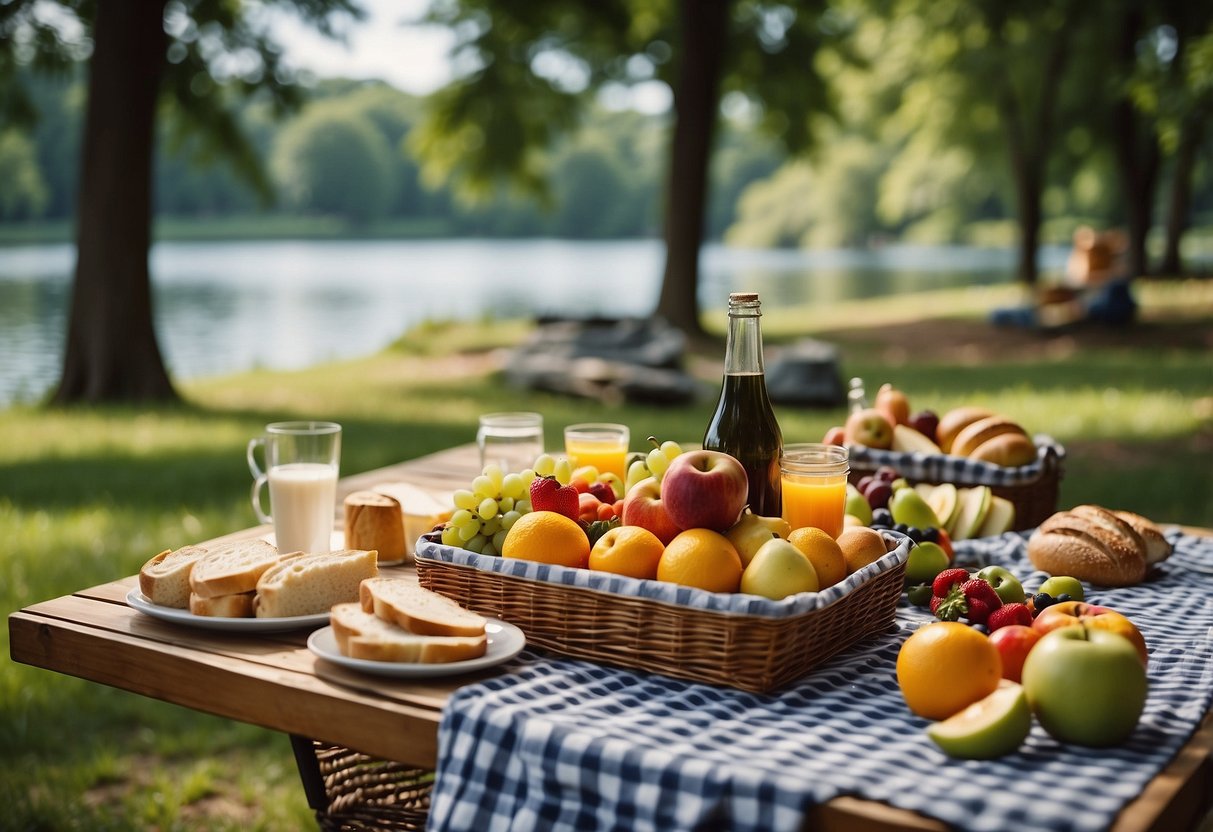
column 756, row 653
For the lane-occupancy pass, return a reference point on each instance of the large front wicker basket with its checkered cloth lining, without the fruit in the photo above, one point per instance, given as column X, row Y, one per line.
column 731, row 640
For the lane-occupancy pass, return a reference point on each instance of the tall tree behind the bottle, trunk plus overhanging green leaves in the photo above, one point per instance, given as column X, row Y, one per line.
column 534, row 67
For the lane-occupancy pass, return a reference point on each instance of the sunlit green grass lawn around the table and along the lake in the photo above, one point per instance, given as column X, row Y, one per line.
column 88, row 495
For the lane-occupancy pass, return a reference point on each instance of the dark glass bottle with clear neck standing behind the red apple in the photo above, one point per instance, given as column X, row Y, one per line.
column 744, row 424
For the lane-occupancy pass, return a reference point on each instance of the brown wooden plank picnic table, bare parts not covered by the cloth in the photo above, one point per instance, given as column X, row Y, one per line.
column 274, row 680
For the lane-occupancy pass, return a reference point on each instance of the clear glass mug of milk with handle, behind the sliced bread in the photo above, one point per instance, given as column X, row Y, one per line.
column 301, row 469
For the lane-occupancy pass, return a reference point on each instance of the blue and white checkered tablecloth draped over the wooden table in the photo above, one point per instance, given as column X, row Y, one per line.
column 570, row 745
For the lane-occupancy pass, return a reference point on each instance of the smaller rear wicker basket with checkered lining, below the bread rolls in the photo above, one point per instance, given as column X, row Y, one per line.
column 1033, row 488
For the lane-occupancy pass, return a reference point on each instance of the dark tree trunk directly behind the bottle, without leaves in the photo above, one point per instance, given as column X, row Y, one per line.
column 697, row 100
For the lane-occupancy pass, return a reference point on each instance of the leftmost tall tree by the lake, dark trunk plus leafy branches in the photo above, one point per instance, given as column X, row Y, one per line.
column 146, row 58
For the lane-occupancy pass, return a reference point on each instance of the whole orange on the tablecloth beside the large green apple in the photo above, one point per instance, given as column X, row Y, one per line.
column 947, row 666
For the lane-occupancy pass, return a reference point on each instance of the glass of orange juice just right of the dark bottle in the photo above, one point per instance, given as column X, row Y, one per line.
column 815, row 480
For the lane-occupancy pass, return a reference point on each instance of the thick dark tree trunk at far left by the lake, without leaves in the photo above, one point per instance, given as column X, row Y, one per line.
column 112, row 352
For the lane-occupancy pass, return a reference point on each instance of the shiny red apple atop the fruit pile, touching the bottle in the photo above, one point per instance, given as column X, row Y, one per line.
column 705, row 491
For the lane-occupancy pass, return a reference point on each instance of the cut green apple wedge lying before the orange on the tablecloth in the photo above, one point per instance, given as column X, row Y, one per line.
column 989, row 728
